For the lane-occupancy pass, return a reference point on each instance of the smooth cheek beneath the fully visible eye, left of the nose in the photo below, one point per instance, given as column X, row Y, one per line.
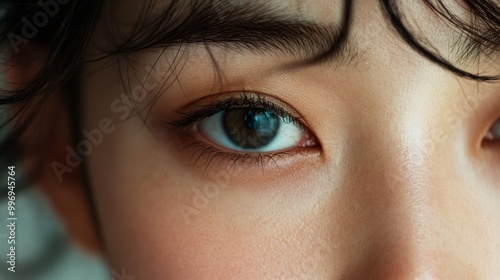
column 159, row 219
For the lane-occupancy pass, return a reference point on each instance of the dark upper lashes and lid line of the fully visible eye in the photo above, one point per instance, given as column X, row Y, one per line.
column 242, row 100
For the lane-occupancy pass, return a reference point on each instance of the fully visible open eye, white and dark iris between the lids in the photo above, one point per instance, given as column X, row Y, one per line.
column 254, row 130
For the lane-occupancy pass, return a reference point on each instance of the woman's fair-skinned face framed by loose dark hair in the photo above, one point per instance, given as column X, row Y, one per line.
column 373, row 164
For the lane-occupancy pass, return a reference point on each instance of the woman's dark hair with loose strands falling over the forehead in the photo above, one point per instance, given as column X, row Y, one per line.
column 68, row 32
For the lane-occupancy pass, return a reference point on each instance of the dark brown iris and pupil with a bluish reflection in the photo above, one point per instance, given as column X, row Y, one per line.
column 251, row 128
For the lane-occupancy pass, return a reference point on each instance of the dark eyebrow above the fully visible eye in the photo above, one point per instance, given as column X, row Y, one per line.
column 254, row 27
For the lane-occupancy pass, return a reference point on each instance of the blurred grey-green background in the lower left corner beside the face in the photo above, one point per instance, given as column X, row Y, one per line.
column 43, row 250
